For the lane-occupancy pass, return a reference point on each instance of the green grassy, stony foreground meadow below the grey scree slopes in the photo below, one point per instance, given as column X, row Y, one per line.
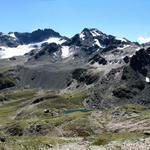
column 36, row 120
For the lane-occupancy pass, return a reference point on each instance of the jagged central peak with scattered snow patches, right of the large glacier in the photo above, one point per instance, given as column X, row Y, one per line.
column 83, row 46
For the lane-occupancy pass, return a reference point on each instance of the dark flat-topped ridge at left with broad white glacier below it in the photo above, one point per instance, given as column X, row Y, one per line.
column 17, row 44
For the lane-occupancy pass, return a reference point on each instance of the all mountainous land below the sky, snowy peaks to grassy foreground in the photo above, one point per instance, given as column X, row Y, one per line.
column 91, row 91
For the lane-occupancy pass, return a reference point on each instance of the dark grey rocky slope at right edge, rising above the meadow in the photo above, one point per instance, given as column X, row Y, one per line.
column 125, row 85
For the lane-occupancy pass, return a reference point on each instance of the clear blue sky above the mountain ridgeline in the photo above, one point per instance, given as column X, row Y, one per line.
column 123, row 18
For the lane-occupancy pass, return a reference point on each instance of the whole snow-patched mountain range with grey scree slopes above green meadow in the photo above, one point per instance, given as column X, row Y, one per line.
column 95, row 60
